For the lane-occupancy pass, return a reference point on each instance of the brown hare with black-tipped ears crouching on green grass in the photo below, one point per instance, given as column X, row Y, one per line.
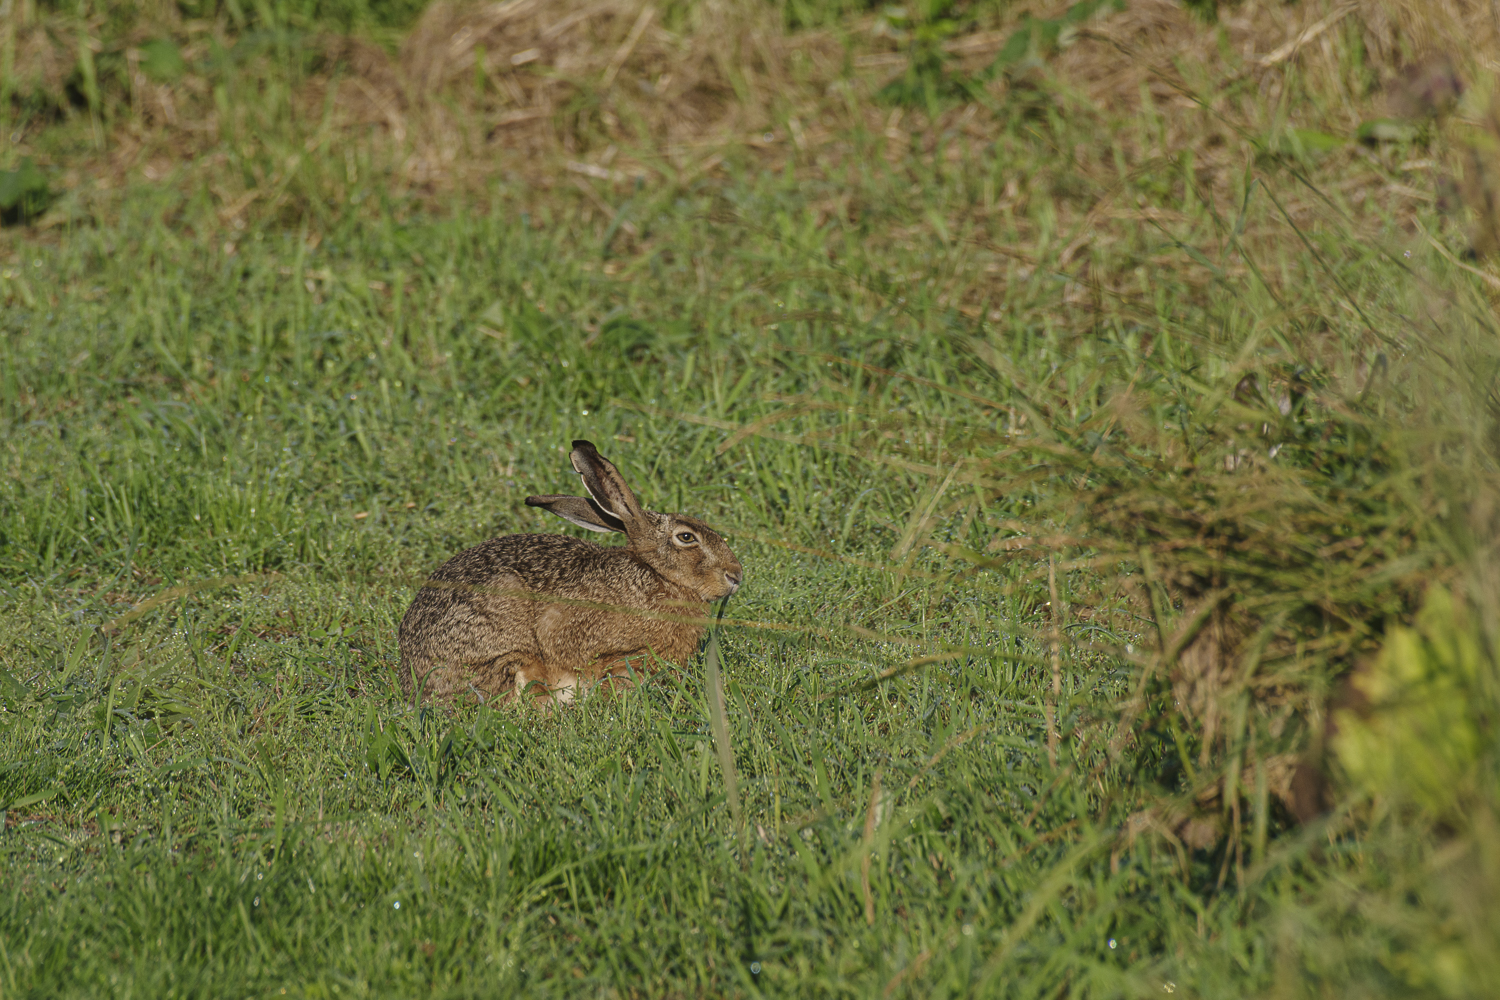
column 553, row 612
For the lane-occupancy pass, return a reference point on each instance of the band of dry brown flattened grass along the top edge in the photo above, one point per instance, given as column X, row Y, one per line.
column 604, row 92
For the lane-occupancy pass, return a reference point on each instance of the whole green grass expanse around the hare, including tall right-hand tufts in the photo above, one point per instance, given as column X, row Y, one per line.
column 1055, row 552
